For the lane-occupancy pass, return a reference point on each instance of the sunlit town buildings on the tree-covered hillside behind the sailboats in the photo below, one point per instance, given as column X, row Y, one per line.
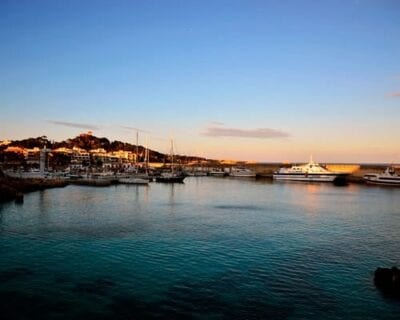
column 83, row 152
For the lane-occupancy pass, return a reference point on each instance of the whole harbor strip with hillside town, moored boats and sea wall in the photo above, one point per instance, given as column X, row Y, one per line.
column 107, row 163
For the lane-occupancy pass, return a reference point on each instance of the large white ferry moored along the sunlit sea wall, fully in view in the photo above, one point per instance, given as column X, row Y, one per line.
column 310, row 172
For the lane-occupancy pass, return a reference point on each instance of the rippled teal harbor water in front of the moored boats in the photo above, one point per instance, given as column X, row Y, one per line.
column 207, row 249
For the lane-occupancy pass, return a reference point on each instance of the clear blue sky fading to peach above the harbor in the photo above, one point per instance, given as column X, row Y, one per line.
column 270, row 80
